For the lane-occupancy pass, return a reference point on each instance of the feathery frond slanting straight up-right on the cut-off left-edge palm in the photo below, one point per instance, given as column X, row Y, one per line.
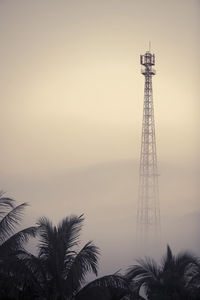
column 10, row 220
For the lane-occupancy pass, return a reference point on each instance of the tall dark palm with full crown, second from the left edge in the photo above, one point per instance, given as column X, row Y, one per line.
column 60, row 268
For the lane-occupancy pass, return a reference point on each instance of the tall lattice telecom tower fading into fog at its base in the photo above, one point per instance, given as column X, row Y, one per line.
column 148, row 212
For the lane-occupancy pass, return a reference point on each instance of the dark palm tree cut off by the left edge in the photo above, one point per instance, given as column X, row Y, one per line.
column 11, row 243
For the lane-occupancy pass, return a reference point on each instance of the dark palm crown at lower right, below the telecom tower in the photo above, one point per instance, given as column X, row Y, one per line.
column 167, row 281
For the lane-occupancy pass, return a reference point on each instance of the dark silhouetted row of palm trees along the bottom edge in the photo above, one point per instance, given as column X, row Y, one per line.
column 59, row 270
